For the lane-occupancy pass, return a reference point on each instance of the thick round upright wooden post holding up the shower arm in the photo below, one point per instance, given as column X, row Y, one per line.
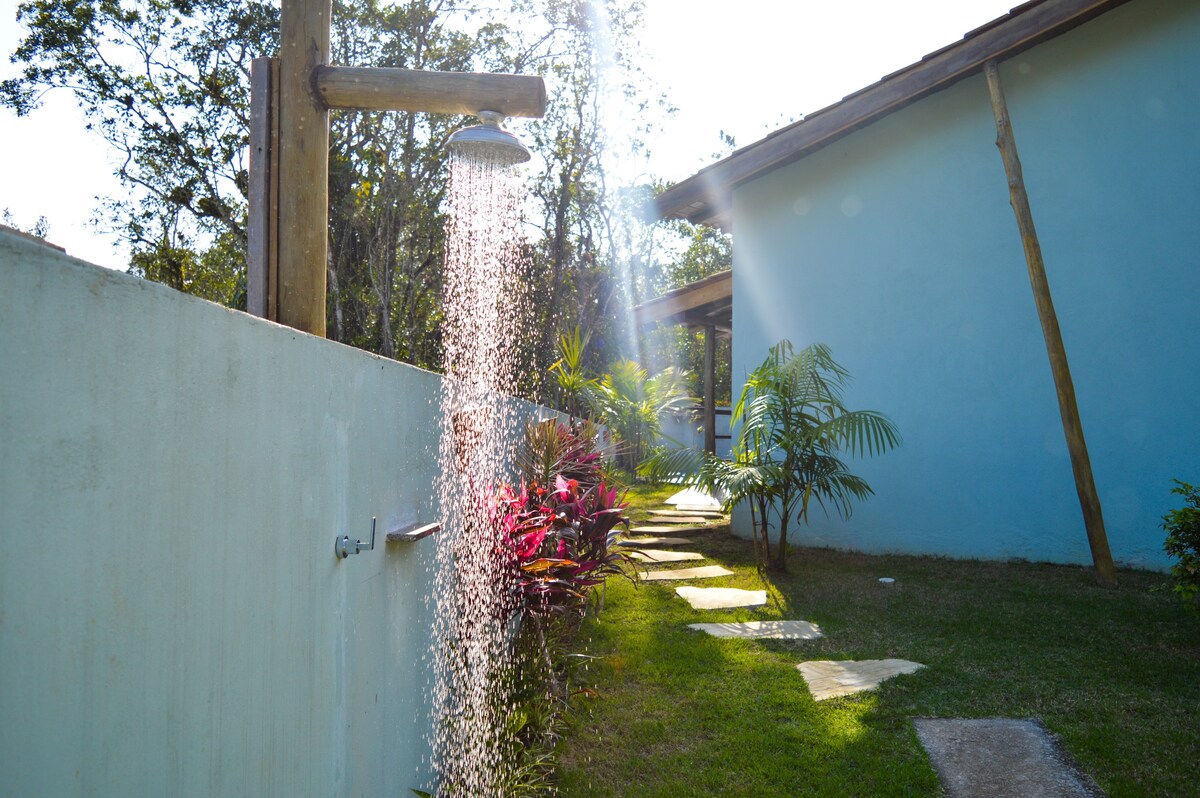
column 304, row 166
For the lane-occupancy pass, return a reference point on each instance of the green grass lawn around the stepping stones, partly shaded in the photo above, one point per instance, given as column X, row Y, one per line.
column 1114, row 674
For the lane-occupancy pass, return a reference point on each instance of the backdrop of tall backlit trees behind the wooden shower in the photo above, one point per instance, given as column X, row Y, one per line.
column 166, row 83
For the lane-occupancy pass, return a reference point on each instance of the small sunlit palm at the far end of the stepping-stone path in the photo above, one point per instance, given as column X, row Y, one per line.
column 632, row 404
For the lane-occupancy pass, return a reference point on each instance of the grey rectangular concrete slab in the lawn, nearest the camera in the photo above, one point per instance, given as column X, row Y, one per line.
column 1001, row 758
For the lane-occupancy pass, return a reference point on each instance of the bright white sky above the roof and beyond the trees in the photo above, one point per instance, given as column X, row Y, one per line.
column 743, row 67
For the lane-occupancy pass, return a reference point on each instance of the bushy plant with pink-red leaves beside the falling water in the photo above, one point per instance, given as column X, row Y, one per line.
column 560, row 543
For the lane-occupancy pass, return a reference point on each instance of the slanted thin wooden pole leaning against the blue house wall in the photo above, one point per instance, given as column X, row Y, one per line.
column 1073, row 428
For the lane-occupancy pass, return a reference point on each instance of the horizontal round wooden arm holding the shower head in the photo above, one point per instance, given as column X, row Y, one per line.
column 435, row 93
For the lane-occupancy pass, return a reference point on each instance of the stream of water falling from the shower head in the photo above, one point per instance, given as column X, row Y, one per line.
column 481, row 335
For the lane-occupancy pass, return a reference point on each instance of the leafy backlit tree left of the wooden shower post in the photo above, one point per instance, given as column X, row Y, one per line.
column 166, row 83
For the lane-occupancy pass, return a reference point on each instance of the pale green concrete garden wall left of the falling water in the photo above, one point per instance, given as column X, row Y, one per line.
column 173, row 621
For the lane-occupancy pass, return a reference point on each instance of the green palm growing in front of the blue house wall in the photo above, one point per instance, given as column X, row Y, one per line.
column 794, row 430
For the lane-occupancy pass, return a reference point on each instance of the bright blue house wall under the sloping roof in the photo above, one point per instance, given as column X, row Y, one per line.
column 898, row 248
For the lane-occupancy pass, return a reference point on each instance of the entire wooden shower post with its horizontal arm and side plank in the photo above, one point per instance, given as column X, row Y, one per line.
column 289, row 227
